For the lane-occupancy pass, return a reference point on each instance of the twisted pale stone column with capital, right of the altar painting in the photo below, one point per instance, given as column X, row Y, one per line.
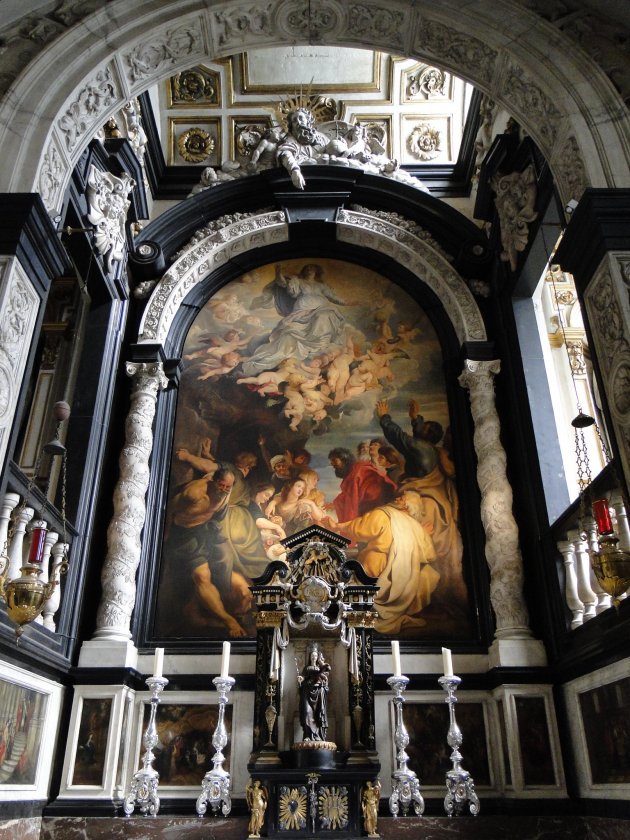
column 502, row 548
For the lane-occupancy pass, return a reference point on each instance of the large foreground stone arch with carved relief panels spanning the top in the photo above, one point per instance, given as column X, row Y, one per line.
column 539, row 75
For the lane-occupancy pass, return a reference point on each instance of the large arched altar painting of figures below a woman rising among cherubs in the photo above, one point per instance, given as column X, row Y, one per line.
column 312, row 392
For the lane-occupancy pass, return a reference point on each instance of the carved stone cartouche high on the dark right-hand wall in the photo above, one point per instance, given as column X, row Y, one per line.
column 515, row 198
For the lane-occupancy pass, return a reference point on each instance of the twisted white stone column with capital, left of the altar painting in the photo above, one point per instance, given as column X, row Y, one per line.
column 118, row 578
